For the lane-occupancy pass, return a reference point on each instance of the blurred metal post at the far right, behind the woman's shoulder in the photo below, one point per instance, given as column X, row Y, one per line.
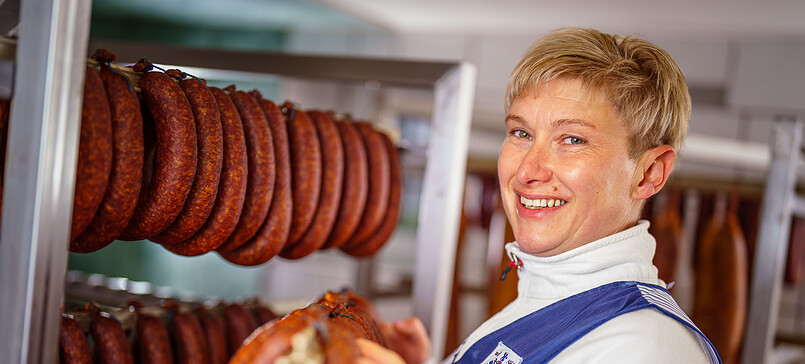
column 775, row 224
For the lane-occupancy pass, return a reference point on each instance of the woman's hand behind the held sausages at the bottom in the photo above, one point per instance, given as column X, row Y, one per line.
column 407, row 339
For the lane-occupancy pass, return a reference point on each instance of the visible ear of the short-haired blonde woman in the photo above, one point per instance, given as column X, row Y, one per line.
column 653, row 170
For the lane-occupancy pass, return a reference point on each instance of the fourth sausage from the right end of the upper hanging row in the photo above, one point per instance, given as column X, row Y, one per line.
column 332, row 156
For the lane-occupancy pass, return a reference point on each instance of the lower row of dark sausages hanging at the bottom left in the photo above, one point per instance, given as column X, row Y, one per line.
column 159, row 335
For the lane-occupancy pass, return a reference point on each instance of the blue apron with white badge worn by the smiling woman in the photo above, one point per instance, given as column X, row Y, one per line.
column 541, row 335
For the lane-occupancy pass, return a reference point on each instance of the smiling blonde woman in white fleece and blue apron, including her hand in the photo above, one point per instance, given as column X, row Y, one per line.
column 594, row 125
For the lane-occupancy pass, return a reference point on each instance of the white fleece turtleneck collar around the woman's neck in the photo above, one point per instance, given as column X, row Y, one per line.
column 624, row 256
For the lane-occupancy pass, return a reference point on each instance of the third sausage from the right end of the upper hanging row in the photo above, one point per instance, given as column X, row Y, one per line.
column 355, row 186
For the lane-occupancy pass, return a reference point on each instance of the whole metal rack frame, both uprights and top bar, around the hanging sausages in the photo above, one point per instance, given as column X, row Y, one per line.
column 43, row 143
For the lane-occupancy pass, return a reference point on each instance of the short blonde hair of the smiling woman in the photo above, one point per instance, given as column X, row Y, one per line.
column 641, row 81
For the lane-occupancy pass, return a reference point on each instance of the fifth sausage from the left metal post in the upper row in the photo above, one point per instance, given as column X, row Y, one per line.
column 232, row 185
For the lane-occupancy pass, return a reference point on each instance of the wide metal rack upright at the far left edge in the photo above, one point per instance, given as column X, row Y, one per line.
column 40, row 176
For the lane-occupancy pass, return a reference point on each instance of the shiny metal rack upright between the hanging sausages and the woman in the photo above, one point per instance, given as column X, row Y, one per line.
column 440, row 210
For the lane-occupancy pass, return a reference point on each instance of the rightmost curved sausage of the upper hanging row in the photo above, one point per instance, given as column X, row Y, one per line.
column 383, row 233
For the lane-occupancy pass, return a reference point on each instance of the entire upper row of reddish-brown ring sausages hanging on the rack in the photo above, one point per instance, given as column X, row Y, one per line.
column 199, row 169
